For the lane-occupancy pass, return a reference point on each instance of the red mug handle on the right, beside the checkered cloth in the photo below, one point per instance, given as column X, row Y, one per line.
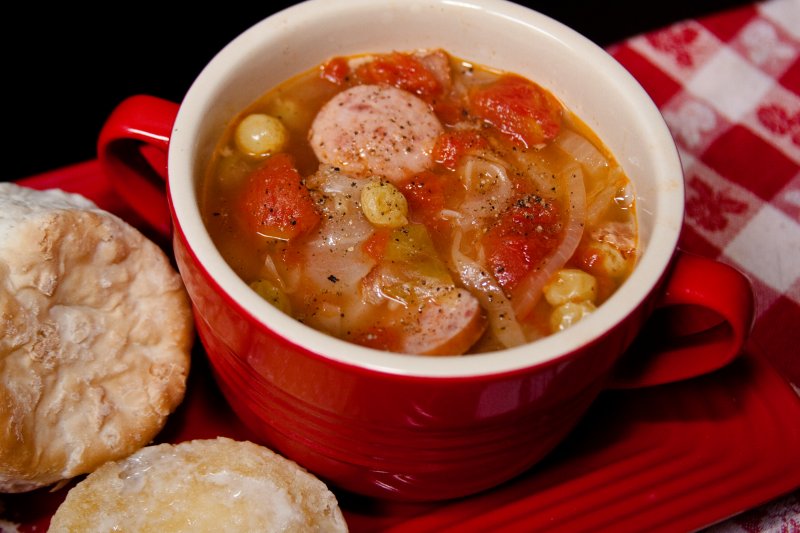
column 700, row 324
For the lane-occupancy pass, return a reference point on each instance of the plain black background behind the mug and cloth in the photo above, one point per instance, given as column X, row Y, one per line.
column 65, row 68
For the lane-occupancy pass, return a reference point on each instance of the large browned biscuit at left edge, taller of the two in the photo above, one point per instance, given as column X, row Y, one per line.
column 95, row 337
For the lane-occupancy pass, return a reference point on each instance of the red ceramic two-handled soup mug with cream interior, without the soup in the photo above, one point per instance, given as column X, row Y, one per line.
column 421, row 427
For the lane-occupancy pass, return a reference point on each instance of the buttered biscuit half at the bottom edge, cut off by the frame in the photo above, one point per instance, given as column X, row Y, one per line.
column 200, row 485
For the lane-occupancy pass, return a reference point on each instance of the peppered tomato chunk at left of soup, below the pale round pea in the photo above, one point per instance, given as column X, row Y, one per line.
column 275, row 202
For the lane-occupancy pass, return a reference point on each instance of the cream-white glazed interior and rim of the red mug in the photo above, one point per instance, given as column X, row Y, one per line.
column 494, row 33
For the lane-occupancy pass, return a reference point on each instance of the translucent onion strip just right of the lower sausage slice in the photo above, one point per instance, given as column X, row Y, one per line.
column 489, row 293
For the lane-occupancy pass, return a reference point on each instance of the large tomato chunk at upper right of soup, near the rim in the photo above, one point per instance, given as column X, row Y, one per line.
column 519, row 108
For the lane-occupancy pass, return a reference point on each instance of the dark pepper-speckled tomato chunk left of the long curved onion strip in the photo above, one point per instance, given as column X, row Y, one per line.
column 523, row 236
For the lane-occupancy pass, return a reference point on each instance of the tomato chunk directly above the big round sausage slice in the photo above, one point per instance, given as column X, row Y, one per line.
column 403, row 71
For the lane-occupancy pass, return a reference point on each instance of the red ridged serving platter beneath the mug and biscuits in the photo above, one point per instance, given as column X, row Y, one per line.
column 677, row 457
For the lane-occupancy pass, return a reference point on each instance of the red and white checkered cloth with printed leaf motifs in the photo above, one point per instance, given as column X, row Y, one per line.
column 728, row 86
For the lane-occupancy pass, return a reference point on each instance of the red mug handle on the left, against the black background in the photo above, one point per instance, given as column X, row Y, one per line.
column 132, row 149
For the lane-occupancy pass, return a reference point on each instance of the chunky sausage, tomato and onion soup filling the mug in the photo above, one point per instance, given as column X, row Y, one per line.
column 418, row 203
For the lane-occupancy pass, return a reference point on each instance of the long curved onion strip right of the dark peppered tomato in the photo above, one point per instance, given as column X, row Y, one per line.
column 527, row 293
